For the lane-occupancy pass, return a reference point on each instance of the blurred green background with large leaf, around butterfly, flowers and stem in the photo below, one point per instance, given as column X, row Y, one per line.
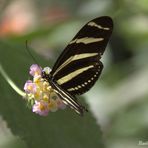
column 118, row 103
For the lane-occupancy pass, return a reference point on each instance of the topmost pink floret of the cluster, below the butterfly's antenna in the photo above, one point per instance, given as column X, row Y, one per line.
column 35, row 70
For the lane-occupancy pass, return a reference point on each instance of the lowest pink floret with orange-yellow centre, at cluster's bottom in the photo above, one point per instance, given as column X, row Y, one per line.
column 40, row 108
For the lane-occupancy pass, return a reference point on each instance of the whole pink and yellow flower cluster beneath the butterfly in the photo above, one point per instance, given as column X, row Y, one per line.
column 39, row 92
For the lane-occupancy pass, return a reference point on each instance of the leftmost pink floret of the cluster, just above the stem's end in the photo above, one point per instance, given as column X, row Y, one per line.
column 30, row 87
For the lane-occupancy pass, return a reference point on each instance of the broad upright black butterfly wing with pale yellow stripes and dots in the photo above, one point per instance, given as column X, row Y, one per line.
column 79, row 65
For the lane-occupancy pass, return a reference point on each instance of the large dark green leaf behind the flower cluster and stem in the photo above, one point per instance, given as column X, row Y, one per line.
column 62, row 129
